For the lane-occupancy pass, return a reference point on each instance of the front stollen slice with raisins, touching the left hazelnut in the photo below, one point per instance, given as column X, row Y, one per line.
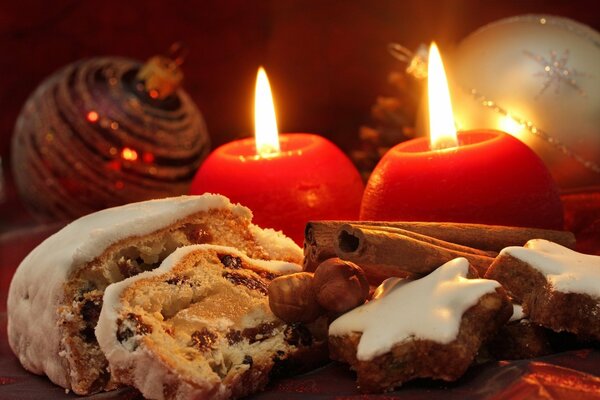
column 200, row 327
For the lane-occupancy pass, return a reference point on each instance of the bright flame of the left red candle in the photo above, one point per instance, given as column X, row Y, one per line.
column 265, row 123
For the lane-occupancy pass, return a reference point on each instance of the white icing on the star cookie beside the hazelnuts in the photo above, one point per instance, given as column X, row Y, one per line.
column 429, row 308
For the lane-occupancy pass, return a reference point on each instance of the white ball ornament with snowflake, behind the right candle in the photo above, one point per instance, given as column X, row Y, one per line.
column 538, row 78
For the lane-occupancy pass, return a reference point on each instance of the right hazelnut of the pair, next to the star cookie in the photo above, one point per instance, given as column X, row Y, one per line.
column 340, row 285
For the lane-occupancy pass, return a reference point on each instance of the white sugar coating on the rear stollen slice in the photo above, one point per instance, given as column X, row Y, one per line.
column 37, row 287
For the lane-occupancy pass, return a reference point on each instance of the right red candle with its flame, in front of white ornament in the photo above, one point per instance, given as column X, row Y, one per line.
column 480, row 177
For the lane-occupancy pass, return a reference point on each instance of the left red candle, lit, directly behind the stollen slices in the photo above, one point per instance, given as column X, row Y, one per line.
column 301, row 177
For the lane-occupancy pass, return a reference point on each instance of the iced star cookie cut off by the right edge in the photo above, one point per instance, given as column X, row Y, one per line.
column 558, row 288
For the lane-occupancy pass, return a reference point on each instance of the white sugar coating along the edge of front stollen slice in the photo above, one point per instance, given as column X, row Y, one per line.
column 107, row 326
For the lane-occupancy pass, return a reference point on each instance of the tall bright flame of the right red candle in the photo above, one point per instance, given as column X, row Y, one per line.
column 442, row 132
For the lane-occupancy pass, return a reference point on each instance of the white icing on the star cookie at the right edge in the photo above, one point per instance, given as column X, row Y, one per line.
column 566, row 270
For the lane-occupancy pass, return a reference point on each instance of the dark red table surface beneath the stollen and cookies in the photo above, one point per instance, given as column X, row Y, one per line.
column 569, row 375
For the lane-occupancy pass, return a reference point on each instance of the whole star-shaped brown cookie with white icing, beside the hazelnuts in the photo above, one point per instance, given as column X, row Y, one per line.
column 426, row 328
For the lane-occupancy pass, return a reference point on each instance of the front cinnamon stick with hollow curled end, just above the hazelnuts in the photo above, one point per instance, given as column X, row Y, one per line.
column 389, row 253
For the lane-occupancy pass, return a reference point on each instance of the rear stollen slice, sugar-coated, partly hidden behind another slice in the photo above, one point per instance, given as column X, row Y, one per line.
column 56, row 293
